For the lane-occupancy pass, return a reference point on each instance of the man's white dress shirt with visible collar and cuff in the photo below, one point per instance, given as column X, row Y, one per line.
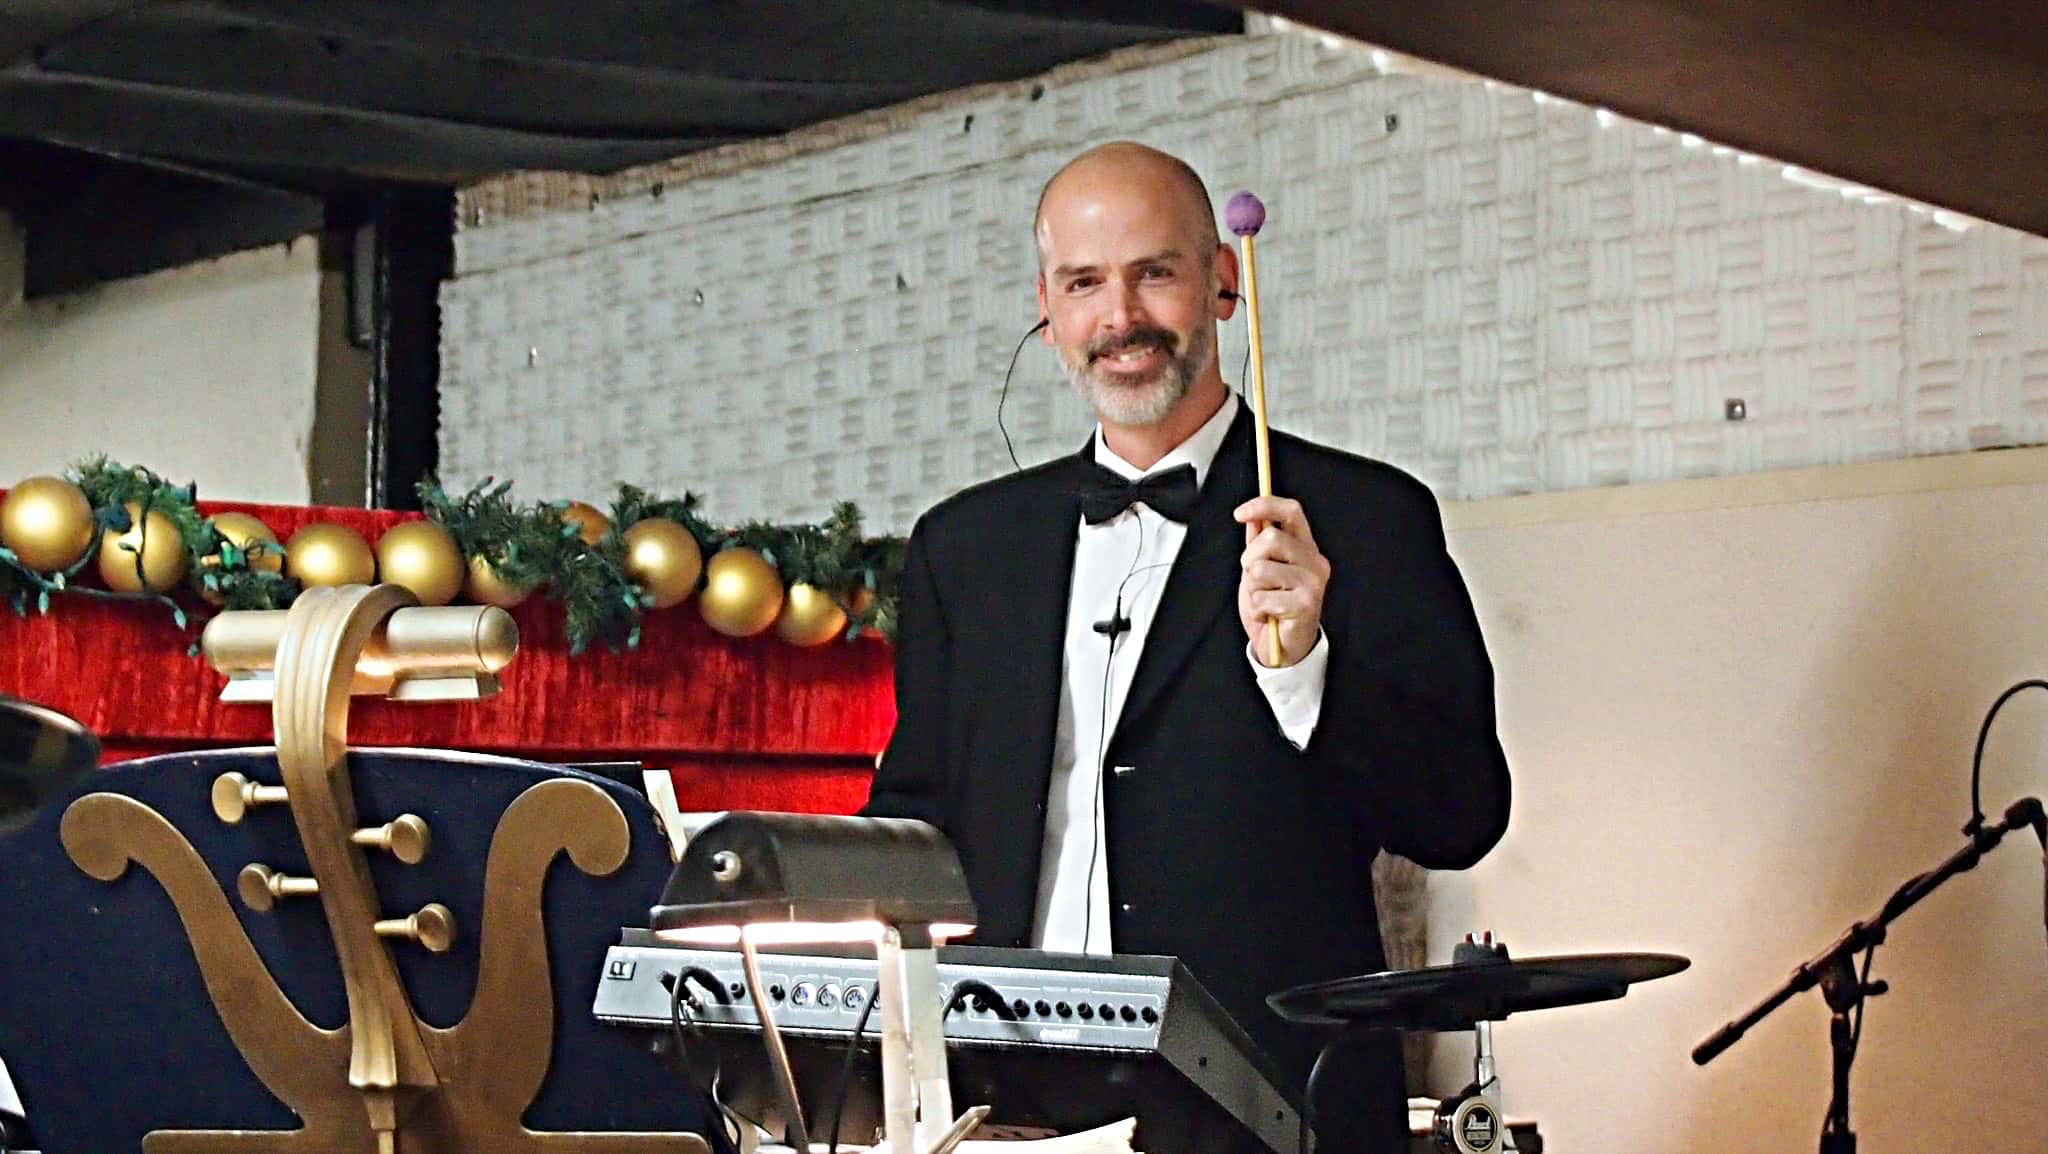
column 1121, row 567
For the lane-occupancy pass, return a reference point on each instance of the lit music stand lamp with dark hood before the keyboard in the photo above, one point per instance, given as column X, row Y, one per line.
column 755, row 878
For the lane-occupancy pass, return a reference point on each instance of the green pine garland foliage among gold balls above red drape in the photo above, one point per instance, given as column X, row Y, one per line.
column 527, row 546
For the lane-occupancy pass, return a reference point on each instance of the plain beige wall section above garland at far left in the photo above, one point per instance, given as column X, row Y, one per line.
column 202, row 374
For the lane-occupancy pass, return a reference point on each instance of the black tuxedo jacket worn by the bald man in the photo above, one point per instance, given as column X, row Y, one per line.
column 1228, row 848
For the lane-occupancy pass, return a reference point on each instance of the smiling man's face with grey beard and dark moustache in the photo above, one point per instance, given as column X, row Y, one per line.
column 1129, row 290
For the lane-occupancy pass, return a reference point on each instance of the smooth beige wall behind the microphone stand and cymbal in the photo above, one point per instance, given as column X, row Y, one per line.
column 1740, row 714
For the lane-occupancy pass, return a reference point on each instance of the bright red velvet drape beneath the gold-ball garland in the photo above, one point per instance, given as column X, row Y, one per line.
column 742, row 725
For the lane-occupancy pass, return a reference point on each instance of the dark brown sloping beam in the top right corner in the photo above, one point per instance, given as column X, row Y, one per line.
column 1943, row 104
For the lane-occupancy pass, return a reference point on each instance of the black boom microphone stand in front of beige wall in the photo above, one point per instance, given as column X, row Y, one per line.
column 1840, row 983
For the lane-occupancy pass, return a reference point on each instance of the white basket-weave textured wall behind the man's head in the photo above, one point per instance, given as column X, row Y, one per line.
column 1494, row 290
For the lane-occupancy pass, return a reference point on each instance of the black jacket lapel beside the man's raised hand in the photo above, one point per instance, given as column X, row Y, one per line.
column 1205, row 573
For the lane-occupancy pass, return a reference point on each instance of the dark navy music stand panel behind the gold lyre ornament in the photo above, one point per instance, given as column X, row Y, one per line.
column 105, row 1020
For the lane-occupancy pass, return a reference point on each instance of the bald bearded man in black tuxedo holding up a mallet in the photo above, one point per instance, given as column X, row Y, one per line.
column 1084, row 702
